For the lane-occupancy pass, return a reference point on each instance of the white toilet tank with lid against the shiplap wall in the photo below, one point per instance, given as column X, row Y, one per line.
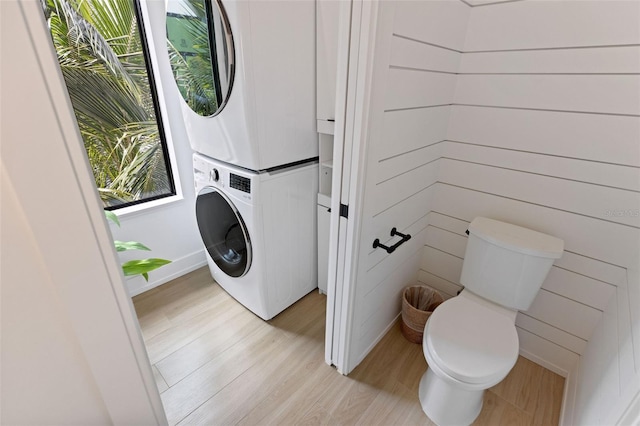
column 507, row 264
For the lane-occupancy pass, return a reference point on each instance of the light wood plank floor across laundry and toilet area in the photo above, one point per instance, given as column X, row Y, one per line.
column 218, row 364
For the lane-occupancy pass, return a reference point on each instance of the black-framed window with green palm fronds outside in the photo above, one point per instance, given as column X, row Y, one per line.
column 105, row 63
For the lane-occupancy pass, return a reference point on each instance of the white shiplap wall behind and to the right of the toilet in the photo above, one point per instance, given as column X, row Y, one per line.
column 544, row 132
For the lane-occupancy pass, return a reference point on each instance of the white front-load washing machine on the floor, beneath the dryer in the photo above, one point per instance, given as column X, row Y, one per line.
column 259, row 231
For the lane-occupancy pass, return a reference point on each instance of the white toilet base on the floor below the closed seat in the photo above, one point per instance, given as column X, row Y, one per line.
column 446, row 404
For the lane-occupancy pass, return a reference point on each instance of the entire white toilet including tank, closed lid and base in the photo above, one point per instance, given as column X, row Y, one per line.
column 470, row 341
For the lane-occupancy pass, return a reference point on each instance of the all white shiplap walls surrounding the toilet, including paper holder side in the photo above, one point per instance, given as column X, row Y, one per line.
column 527, row 112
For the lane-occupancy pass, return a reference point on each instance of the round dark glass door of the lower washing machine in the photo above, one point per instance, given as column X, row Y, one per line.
column 223, row 232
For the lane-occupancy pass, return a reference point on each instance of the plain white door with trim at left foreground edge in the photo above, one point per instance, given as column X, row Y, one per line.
column 69, row 329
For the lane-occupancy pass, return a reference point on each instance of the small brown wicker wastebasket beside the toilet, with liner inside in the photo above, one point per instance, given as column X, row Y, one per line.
column 418, row 302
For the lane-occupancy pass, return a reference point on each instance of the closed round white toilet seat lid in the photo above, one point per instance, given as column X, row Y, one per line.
column 472, row 342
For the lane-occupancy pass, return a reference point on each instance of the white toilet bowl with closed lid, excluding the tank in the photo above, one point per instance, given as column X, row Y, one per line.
column 470, row 345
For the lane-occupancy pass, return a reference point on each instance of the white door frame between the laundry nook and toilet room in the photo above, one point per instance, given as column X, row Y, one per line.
column 356, row 42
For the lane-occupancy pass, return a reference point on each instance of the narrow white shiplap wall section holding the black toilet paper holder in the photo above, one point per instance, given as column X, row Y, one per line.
column 413, row 86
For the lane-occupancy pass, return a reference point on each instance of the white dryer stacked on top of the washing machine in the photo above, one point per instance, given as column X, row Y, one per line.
column 268, row 119
